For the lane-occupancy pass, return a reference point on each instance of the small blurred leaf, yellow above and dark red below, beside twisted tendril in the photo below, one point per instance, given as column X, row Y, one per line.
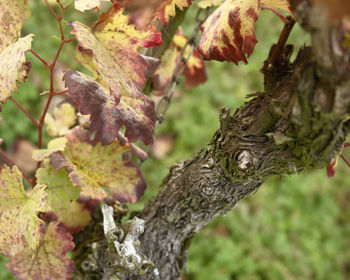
column 195, row 71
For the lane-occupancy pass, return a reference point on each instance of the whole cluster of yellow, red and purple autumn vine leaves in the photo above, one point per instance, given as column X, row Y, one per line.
column 89, row 159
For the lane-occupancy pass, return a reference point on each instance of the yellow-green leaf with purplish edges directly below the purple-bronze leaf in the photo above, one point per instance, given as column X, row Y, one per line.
column 95, row 166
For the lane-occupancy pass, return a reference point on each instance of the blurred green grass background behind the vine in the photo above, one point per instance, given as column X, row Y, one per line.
column 291, row 228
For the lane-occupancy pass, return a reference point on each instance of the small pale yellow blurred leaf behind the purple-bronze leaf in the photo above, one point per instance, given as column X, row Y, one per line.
column 63, row 118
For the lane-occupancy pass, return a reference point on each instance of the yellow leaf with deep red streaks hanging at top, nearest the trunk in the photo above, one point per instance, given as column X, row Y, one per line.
column 228, row 34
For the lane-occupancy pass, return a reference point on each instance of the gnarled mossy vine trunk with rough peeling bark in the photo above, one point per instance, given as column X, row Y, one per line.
column 299, row 122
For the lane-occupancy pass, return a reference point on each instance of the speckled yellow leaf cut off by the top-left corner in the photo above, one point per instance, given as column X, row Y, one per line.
column 13, row 14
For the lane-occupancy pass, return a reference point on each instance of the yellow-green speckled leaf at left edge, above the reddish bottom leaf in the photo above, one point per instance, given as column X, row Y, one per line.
column 20, row 225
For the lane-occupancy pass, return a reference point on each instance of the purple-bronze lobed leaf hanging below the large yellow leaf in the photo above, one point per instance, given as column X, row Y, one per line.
column 107, row 115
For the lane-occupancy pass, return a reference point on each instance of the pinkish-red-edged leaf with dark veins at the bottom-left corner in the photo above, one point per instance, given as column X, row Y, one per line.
column 48, row 261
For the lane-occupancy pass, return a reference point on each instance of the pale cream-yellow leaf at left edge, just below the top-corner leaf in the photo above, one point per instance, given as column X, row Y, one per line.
column 13, row 66
